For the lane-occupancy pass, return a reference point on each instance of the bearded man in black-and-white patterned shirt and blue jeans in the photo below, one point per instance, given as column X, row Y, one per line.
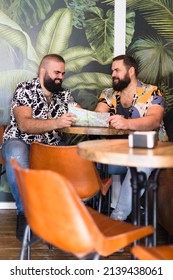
column 39, row 109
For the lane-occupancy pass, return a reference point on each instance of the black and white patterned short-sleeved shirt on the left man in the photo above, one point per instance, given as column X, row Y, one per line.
column 29, row 93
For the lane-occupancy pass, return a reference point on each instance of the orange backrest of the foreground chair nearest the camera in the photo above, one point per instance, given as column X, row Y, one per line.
column 54, row 210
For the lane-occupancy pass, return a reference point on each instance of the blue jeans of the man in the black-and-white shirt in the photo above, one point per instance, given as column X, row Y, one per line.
column 19, row 150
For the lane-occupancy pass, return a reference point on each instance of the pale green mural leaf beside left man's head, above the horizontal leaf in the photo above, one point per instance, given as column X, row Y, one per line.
column 77, row 57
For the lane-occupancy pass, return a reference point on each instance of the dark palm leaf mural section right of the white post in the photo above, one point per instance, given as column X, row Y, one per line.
column 149, row 38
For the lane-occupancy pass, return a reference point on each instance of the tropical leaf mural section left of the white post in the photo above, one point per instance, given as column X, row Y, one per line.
column 82, row 31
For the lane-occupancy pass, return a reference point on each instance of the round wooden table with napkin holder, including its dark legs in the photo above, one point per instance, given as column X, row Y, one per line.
column 118, row 152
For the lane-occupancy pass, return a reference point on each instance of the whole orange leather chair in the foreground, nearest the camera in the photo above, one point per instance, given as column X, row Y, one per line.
column 56, row 214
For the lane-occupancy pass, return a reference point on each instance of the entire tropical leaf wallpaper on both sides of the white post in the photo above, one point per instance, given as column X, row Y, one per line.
column 82, row 31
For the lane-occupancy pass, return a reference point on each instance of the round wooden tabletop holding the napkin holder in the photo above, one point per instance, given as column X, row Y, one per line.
column 118, row 152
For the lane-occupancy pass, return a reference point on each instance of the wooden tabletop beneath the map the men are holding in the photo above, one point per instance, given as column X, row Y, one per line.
column 90, row 130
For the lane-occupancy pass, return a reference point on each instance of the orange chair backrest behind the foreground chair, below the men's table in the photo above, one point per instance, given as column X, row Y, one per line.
column 66, row 161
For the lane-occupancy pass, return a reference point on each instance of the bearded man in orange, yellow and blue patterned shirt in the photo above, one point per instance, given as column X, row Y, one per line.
column 133, row 105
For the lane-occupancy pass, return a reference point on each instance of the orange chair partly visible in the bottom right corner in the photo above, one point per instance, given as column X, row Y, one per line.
column 153, row 253
